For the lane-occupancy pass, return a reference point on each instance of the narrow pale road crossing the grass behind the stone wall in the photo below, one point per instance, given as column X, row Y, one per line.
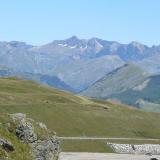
column 107, row 138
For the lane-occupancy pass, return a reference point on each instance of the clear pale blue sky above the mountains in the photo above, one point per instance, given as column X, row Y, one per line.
column 42, row 21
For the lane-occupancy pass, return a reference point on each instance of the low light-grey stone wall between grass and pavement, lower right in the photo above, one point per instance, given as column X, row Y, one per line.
column 135, row 149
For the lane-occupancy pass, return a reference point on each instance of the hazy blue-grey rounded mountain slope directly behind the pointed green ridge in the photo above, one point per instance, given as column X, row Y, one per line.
column 81, row 74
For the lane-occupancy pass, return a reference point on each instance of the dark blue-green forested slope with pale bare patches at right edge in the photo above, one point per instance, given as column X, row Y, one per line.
column 146, row 95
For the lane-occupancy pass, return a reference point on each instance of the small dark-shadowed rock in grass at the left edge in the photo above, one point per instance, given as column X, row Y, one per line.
column 6, row 145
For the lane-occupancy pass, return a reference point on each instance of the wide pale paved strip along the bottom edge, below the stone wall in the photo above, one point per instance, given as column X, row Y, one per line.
column 103, row 156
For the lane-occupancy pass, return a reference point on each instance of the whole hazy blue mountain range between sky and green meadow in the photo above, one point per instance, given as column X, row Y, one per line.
column 92, row 67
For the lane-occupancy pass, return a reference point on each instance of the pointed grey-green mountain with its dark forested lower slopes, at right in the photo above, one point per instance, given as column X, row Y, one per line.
column 129, row 85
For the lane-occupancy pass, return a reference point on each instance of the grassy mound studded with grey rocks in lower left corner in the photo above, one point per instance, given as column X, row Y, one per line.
column 22, row 138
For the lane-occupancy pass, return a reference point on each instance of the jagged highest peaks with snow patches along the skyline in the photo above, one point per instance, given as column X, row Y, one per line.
column 95, row 47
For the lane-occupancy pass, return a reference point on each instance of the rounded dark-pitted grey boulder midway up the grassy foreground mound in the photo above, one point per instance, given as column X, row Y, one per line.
column 25, row 132
